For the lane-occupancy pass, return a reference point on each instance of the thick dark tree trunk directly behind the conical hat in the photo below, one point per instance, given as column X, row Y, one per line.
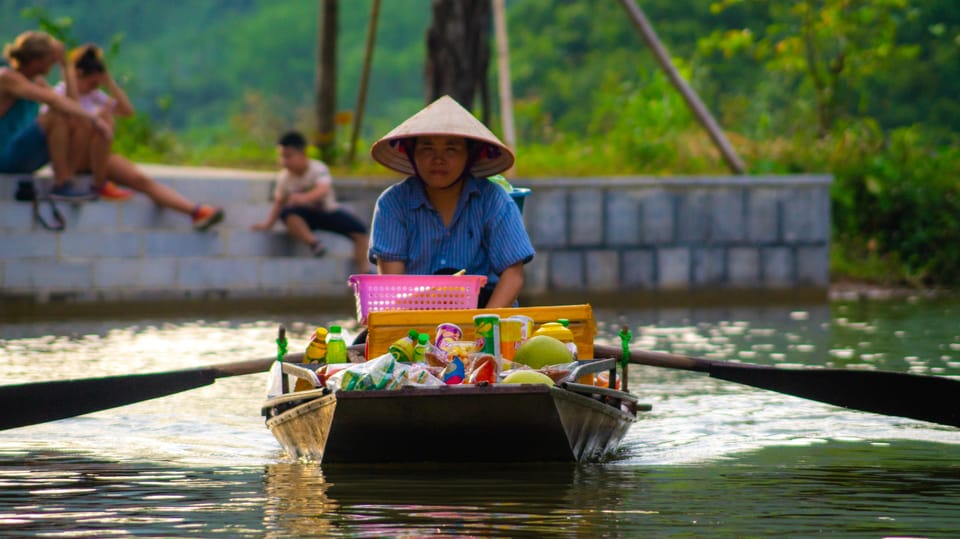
column 458, row 51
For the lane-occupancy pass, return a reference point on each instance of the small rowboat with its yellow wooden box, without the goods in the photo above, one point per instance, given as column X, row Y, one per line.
column 565, row 422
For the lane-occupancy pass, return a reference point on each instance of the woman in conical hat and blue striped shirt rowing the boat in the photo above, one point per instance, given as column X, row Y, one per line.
column 446, row 215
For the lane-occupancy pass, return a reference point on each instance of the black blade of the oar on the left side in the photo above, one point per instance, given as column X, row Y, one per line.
column 32, row 403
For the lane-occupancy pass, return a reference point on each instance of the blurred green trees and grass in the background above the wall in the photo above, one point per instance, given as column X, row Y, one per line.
column 866, row 90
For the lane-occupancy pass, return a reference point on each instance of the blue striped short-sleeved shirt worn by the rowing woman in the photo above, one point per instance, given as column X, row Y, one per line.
column 485, row 237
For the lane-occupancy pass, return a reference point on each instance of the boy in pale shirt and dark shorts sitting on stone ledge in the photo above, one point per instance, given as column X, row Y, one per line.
column 305, row 201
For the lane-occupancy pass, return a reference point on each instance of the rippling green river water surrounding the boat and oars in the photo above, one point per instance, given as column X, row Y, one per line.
column 712, row 459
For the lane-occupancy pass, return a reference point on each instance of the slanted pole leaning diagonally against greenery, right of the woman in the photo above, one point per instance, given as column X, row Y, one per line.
column 693, row 101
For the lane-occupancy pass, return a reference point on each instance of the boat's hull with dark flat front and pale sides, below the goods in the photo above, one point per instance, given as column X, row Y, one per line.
column 496, row 423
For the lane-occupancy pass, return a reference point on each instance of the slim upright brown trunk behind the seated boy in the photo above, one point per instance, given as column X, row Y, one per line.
column 326, row 103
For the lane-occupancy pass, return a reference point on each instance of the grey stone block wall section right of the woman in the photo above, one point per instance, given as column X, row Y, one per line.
column 681, row 234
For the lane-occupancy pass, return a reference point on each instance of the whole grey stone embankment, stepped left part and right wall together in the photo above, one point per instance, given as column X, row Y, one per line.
column 592, row 235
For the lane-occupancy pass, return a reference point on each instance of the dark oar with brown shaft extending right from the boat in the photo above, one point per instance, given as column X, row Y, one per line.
column 928, row 398
